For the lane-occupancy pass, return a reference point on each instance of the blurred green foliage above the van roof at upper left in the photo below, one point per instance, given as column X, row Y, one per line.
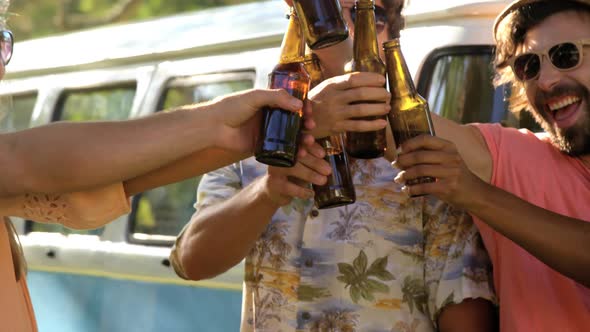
column 38, row 18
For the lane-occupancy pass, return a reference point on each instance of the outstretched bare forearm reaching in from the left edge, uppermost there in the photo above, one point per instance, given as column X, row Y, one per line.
column 66, row 156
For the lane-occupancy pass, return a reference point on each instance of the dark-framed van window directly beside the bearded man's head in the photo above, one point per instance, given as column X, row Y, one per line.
column 457, row 82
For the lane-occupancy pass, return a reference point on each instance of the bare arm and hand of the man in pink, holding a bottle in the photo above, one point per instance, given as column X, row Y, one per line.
column 561, row 242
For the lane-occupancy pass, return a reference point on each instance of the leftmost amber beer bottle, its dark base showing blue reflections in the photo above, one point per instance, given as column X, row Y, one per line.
column 280, row 130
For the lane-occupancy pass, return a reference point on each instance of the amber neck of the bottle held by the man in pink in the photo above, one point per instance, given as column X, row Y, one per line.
column 400, row 80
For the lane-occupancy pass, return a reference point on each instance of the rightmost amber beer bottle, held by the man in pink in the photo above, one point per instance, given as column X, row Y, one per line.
column 409, row 116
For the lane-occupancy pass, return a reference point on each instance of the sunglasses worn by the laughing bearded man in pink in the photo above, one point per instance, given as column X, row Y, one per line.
column 563, row 57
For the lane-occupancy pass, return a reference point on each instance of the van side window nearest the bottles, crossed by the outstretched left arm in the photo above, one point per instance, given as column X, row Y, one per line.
column 160, row 214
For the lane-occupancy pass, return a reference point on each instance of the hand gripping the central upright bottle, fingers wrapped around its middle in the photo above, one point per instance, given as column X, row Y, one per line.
column 331, row 104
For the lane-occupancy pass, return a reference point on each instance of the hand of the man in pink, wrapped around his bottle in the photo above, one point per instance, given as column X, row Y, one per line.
column 432, row 156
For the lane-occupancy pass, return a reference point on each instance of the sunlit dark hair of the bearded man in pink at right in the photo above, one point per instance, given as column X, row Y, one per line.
column 511, row 34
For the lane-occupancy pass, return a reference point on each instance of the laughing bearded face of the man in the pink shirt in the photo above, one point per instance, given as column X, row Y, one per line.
column 560, row 99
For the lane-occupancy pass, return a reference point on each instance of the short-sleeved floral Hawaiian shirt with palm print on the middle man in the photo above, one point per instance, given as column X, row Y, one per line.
column 376, row 265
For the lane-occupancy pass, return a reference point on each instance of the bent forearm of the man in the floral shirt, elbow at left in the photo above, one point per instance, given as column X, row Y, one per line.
column 220, row 236
